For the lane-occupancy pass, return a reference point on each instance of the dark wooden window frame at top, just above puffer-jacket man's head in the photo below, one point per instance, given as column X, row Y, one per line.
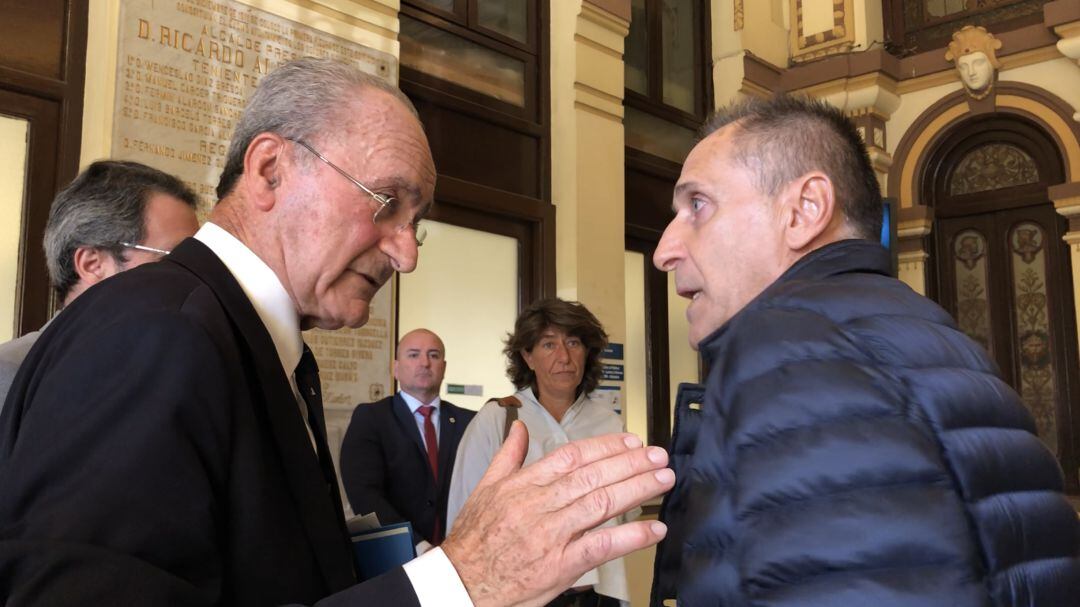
column 703, row 65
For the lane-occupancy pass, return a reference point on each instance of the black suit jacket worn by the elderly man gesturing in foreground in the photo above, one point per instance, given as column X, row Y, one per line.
column 153, row 453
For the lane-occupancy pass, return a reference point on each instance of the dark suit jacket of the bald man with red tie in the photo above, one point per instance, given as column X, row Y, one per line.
column 385, row 466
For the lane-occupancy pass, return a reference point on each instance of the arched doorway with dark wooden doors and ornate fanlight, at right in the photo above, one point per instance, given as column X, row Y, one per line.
column 1003, row 269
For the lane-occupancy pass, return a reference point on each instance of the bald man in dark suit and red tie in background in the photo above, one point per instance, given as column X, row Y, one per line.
column 387, row 464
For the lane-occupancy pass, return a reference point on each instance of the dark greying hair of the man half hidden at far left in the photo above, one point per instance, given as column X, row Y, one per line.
column 104, row 207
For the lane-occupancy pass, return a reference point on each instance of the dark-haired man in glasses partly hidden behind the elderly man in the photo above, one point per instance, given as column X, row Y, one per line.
column 114, row 217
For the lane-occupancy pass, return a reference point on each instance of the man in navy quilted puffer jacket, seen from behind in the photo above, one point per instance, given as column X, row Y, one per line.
column 854, row 448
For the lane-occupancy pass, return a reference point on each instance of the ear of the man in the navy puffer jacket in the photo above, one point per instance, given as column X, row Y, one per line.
column 809, row 210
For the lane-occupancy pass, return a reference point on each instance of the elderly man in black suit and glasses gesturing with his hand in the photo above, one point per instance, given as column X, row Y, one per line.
column 177, row 453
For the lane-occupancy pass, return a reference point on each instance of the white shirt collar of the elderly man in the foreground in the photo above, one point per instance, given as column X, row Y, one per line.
column 265, row 291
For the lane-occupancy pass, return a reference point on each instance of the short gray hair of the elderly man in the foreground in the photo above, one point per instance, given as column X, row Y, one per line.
column 301, row 100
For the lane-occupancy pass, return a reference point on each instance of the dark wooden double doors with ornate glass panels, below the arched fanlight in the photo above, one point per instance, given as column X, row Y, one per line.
column 1003, row 280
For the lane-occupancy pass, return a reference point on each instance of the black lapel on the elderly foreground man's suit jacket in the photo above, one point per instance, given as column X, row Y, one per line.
column 314, row 494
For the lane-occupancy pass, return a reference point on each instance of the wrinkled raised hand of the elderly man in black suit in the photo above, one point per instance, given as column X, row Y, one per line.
column 528, row 534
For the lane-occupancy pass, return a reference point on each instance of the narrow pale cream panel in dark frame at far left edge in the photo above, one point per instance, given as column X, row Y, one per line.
column 13, row 153
